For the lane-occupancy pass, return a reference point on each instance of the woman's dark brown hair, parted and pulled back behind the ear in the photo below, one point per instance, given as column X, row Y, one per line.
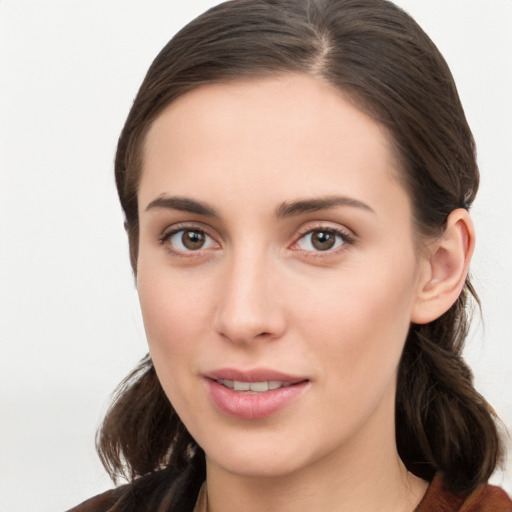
column 378, row 56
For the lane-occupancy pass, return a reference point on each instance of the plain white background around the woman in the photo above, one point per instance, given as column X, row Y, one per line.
column 70, row 325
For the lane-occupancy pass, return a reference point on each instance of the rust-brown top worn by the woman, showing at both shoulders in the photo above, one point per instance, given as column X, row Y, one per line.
column 486, row 498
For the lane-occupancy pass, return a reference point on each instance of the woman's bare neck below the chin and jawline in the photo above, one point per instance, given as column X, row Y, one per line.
column 366, row 476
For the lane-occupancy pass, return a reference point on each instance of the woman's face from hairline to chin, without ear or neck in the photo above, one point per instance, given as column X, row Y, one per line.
column 277, row 272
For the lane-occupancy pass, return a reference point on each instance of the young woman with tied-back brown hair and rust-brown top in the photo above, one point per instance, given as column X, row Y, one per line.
column 296, row 178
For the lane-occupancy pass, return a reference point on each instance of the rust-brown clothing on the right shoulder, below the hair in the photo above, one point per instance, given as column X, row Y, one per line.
column 485, row 498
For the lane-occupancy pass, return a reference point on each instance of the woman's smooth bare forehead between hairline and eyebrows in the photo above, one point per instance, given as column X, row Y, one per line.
column 260, row 136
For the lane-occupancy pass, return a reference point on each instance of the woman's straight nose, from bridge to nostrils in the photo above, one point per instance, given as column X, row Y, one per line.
column 249, row 306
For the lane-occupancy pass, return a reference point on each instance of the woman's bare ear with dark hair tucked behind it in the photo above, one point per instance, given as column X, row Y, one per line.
column 445, row 267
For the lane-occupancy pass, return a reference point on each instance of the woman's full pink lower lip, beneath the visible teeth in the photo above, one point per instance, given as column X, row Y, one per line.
column 251, row 406
